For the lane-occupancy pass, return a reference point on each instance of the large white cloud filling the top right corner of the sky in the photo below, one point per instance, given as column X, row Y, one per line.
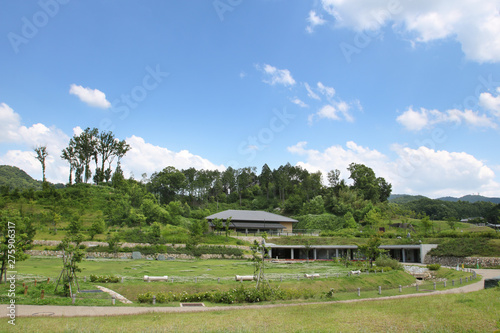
column 476, row 26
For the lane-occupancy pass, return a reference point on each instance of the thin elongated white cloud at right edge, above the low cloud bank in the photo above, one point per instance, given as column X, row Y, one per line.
column 423, row 118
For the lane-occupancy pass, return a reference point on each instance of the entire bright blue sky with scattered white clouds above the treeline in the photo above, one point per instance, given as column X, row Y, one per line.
column 410, row 89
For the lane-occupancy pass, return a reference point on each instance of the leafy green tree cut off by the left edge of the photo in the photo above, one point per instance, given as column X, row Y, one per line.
column 16, row 236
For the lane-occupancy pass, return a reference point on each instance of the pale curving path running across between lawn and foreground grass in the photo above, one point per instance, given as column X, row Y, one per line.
column 80, row 311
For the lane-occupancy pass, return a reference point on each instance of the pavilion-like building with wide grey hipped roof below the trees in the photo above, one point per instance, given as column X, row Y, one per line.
column 250, row 221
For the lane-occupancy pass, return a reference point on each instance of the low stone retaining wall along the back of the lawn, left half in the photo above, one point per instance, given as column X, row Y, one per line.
column 128, row 255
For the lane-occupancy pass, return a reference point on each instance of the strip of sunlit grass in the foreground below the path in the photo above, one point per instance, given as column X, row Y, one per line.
column 473, row 312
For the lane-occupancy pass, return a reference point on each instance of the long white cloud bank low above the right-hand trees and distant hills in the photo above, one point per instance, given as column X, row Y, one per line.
column 413, row 171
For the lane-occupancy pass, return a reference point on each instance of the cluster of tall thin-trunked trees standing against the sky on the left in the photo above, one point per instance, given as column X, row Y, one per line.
column 91, row 145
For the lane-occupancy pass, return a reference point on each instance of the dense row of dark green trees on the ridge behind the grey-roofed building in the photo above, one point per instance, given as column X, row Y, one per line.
column 285, row 184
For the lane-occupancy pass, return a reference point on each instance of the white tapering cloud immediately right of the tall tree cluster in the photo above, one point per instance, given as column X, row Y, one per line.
column 147, row 158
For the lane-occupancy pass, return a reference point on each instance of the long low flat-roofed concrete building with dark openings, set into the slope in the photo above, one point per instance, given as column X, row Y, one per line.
column 403, row 253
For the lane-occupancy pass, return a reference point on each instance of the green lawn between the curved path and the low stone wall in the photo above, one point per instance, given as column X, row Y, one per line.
column 194, row 276
